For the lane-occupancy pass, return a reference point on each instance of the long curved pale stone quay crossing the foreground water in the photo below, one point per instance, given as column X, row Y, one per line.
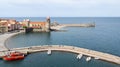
column 65, row 48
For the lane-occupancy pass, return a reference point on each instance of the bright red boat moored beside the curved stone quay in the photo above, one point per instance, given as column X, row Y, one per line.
column 14, row 56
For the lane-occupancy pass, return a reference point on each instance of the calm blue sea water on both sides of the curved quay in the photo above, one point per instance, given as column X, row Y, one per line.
column 104, row 37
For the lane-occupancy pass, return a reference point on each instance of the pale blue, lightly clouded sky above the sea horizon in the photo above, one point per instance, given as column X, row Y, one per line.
column 60, row 8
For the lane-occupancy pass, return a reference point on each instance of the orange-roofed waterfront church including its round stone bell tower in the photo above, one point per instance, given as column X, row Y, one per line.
column 37, row 26
